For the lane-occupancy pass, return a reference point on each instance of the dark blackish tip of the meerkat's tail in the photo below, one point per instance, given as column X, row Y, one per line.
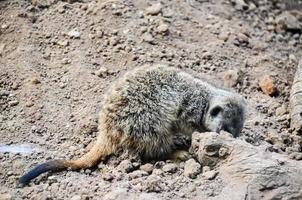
column 54, row 165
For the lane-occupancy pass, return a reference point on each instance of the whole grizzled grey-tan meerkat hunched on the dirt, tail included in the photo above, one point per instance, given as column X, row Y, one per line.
column 151, row 111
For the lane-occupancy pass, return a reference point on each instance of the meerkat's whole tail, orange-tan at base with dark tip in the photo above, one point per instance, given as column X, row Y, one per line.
column 97, row 153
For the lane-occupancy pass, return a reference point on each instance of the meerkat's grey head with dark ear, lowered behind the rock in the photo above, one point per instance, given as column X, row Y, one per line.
column 225, row 113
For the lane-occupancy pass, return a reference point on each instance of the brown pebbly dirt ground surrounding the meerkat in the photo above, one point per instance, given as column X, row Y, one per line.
column 58, row 57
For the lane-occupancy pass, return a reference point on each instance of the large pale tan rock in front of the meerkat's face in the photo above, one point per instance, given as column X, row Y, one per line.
column 252, row 171
